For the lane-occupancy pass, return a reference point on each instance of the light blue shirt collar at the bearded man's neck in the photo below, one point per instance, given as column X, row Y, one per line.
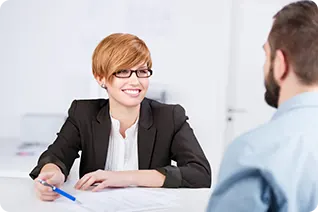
column 306, row 99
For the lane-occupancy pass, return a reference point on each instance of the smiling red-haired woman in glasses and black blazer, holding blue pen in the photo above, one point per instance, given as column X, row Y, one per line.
column 126, row 140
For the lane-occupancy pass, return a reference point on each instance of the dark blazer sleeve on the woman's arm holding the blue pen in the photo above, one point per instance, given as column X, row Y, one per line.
column 64, row 149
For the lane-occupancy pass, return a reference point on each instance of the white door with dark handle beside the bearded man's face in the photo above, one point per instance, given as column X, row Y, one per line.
column 246, row 105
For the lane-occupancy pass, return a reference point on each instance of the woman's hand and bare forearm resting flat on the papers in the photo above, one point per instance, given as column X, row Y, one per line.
column 105, row 179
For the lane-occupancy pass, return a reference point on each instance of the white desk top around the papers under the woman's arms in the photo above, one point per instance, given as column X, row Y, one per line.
column 17, row 194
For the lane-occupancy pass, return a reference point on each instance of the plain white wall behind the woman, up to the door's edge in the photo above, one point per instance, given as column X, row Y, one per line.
column 46, row 50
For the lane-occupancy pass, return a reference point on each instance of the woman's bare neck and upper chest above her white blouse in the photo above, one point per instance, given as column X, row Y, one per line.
column 127, row 116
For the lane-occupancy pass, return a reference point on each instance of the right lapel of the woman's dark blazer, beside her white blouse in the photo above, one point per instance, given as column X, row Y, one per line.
column 146, row 135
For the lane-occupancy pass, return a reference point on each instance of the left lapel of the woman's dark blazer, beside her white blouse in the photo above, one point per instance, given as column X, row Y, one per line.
column 101, row 133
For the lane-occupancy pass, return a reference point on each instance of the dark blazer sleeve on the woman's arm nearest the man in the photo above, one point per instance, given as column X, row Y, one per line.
column 193, row 169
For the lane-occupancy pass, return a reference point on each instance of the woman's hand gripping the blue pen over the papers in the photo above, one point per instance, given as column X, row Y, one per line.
column 46, row 193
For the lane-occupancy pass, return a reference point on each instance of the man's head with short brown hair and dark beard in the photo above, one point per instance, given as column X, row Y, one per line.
column 292, row 52
